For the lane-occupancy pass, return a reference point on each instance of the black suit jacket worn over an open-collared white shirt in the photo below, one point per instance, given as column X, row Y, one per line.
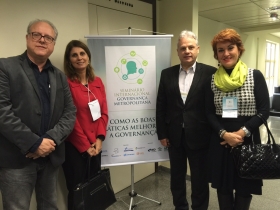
column 172, row 114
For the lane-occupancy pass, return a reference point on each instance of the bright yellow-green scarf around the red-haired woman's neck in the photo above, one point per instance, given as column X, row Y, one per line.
column 225, row 82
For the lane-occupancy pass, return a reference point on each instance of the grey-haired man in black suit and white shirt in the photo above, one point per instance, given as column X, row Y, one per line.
column 182, row 124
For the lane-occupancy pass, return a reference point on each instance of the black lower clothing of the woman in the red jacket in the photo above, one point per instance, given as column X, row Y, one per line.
column 74, row 168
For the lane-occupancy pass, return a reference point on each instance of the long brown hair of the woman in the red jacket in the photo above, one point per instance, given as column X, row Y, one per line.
column 69, row 70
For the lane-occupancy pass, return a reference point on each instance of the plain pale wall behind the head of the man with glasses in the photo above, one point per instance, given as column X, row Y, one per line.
column 70, row 18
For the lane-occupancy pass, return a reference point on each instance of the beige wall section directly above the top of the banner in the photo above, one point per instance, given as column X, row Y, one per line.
column 116, row 21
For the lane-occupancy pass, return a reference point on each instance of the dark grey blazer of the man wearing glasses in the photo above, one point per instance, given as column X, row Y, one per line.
column 20, row 112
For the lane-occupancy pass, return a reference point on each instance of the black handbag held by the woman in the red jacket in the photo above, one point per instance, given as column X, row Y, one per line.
column 95, row 193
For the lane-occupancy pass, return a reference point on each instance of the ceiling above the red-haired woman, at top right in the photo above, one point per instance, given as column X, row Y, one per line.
column 242, row 14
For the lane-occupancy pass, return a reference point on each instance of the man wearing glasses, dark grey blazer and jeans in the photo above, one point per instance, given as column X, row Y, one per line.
column 36, row 115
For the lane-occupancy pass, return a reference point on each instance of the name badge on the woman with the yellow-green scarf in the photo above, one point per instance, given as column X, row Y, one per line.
column 230, row 107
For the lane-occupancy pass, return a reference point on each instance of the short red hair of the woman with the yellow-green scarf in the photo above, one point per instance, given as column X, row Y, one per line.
column 227, row 35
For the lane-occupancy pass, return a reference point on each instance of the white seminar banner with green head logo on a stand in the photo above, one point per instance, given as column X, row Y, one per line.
column 130, row 67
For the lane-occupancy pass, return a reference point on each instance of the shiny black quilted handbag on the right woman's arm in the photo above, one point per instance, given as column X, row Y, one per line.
column 258, row 161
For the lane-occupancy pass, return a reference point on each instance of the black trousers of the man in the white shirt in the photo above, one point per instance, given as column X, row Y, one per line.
column 198, row 167
